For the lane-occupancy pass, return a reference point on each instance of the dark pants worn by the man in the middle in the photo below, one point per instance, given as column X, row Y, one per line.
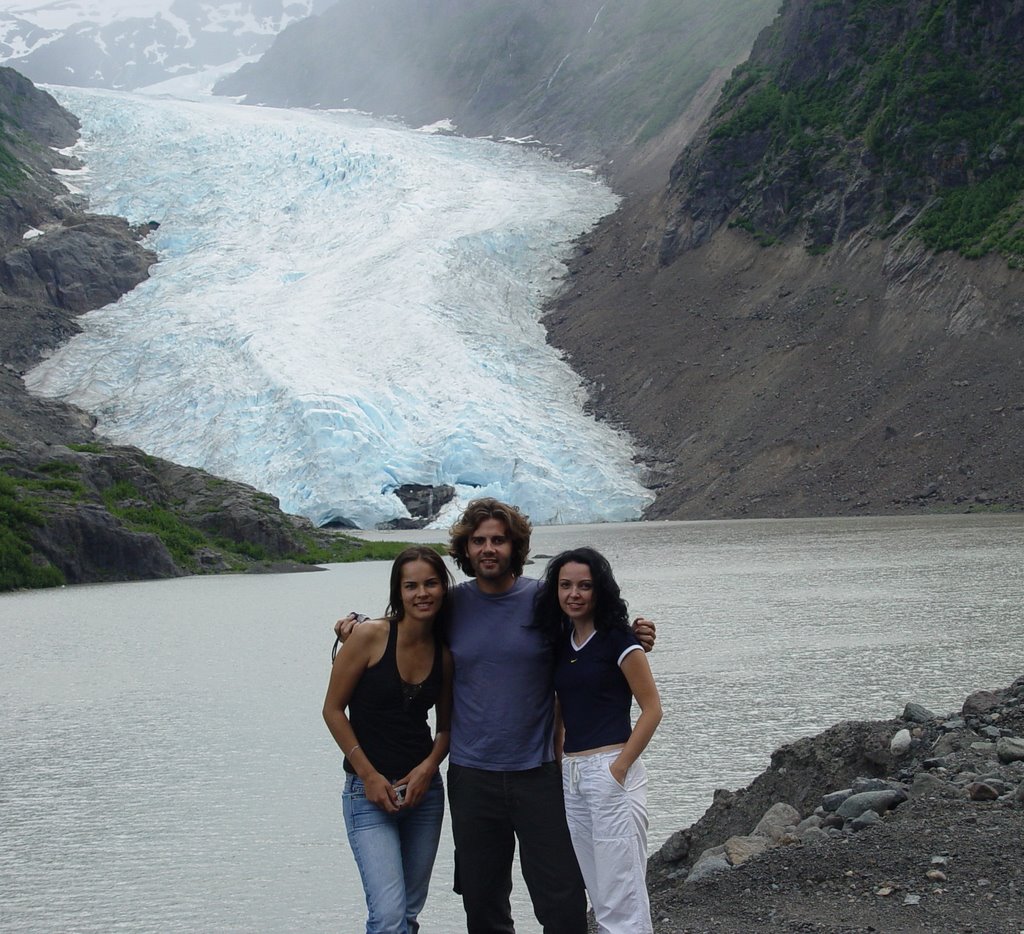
column 492, row 811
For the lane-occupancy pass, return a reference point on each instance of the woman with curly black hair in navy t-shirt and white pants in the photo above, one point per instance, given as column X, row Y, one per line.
column 601, row 670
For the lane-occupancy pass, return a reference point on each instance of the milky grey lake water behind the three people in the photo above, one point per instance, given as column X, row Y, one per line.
column 164, row 766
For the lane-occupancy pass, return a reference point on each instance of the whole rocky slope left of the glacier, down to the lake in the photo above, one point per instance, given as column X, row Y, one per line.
column 74, row 508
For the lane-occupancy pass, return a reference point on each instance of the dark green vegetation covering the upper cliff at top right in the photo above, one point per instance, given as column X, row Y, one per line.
column 938, row 105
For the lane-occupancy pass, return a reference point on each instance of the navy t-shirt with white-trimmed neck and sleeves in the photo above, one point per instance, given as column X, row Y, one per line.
column 592, row 690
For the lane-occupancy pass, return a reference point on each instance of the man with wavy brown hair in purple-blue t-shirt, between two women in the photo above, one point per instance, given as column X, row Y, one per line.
column 504, row 783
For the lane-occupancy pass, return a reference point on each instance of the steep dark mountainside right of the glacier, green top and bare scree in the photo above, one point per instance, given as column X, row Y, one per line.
column 824, row 311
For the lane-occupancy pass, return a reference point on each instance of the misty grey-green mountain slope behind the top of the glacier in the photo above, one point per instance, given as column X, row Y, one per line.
column 592, row 80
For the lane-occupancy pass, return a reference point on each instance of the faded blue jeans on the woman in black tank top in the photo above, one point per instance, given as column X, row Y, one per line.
column 395, row 855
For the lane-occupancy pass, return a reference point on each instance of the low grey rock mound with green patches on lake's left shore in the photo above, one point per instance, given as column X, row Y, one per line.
column 106, row 510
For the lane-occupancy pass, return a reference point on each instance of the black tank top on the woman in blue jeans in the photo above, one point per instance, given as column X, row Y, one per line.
column 390, row 716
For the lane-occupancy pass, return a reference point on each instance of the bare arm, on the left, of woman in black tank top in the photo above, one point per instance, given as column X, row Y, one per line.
column 364, row 647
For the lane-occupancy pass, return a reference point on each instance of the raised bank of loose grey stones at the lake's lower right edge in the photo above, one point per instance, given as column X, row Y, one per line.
column 858, row 767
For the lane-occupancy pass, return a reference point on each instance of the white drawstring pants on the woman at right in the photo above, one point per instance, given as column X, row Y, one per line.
column 609, row 827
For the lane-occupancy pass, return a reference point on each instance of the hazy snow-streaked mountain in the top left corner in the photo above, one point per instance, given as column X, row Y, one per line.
column 125, row 45
